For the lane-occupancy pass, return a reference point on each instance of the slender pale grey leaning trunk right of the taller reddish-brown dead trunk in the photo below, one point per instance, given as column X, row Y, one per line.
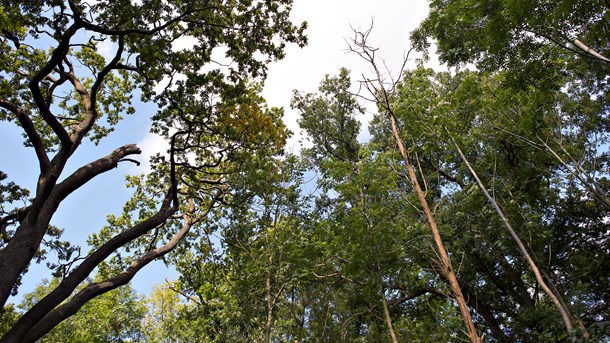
column 559, row 303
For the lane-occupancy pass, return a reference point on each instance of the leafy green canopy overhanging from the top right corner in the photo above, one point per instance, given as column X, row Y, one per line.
column 518, row 35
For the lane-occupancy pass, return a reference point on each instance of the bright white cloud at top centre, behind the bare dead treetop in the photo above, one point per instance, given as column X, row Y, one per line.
column 329, row 29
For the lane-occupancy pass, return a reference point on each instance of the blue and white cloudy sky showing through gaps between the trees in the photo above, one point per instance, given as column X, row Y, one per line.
column 330, row 25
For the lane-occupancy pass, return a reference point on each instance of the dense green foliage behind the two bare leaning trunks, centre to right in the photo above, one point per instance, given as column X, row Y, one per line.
column 322, row 258
